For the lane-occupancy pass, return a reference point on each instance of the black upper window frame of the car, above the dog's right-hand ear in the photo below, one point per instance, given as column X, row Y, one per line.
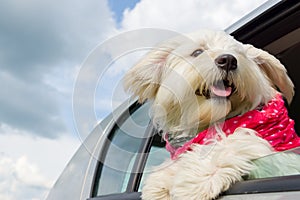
column 269, row 25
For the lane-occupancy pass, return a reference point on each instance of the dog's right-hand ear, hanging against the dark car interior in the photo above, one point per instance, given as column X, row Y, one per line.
column 273, row 69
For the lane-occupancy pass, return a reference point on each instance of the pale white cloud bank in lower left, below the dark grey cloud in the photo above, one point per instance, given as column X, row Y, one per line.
column 29, row 166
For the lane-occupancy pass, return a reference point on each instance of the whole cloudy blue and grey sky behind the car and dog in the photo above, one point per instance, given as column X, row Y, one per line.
column 50, row 99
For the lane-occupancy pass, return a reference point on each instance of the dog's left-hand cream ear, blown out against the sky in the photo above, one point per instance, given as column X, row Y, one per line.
column 144, row 78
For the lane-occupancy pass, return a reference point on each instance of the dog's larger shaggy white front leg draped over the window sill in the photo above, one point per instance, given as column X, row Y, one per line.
column 204, row 177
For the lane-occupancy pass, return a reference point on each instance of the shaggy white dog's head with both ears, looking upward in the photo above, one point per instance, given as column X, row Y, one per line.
column 201, row 78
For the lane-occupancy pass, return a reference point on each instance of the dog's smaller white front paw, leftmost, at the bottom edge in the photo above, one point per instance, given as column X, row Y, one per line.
column 158, row 184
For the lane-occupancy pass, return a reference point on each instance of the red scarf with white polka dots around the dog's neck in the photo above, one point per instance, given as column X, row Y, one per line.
column 271, row 123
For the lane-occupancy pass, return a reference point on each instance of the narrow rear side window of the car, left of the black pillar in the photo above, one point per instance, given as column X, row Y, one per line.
column 123, row 144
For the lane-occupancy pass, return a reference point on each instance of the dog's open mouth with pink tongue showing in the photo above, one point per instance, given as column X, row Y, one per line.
column 221, row 89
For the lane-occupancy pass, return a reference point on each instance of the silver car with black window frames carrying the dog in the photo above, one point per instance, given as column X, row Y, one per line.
column 119, row 153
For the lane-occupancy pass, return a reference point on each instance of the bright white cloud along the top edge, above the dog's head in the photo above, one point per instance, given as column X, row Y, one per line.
column 185, row 16
